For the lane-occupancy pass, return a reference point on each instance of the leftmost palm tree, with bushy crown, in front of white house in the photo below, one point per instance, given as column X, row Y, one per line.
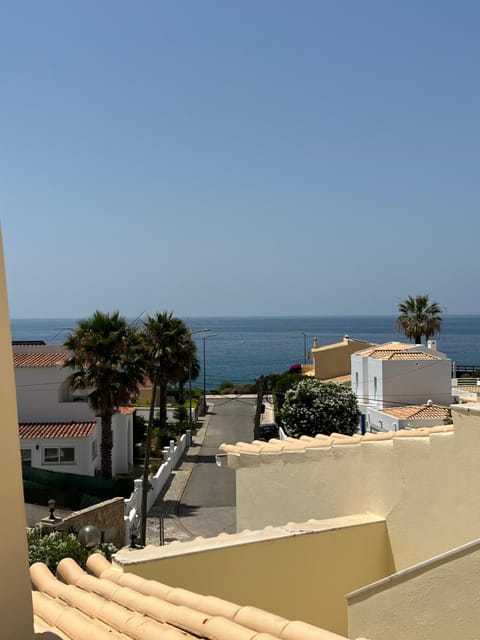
column 107, row 359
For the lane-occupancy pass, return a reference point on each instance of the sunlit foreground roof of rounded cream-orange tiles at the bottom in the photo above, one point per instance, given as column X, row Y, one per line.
column 111, row 605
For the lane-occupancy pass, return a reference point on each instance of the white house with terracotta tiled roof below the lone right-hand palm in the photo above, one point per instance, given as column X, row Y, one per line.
column 401, row 385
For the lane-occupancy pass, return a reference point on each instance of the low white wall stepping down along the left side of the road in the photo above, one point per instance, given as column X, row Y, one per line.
column 171, row 456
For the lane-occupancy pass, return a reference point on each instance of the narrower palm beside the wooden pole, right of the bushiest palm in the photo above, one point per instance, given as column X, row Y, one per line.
column 172, row 349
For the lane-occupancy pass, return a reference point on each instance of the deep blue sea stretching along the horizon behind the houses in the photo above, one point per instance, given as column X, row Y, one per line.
column 241, row 349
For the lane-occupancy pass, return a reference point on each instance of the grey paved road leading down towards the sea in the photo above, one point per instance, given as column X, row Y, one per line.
column 208, row 503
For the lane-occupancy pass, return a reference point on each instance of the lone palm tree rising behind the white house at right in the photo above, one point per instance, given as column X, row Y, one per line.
column 418, row 317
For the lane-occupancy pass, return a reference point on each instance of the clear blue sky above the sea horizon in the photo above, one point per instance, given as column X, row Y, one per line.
column 239, row 158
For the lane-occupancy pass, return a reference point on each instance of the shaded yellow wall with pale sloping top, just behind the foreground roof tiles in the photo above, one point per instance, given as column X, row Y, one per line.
column 298, row 572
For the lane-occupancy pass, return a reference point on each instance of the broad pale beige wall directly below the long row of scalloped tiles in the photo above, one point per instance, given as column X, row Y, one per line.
column 427, row 488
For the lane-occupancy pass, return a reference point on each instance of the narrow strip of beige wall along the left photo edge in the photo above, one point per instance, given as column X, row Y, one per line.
column 16, row 613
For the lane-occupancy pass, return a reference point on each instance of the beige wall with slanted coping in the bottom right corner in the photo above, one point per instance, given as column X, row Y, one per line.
column 438, row 599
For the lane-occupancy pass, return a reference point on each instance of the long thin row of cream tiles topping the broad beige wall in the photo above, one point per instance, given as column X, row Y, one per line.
column 249, row 452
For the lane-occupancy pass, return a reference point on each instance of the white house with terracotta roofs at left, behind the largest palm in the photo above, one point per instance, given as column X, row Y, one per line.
column 58, row 429
